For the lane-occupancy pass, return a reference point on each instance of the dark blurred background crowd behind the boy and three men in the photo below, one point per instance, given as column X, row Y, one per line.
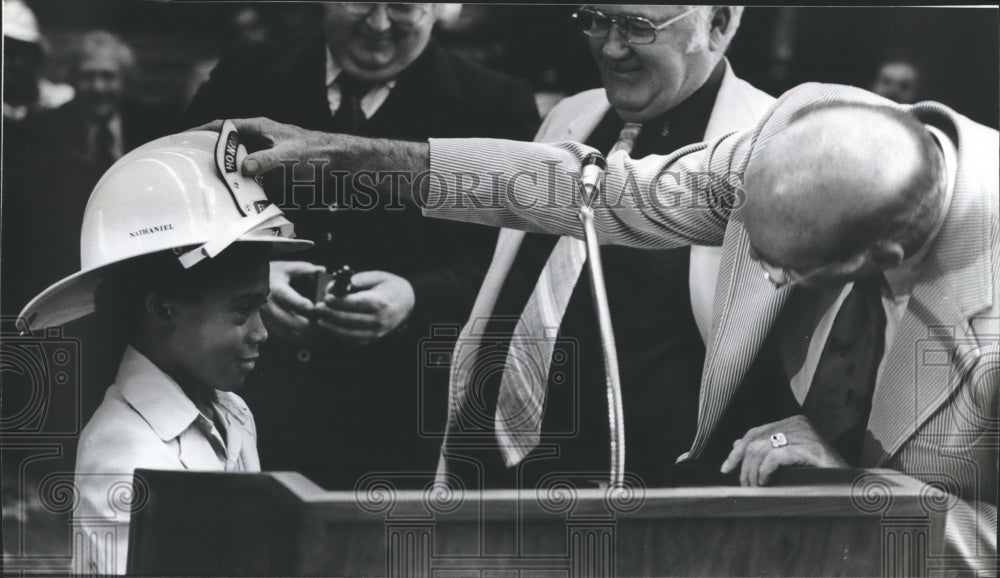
column 137, row 64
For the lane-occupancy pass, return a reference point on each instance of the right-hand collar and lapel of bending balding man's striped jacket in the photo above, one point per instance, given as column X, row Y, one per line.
column 936, row 341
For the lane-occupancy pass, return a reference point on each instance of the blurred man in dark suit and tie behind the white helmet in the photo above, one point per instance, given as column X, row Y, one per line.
column 70, row 148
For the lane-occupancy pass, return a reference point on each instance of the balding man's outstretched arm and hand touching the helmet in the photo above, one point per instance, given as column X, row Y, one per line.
column 654, row 203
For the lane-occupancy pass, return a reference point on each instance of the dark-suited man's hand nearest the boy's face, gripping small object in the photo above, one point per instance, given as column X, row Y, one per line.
column 287, row 314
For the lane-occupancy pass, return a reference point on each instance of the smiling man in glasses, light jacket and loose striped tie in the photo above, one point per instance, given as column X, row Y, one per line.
column 665, row 76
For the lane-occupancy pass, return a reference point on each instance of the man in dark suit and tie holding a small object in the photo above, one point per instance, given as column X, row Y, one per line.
column 341, row 391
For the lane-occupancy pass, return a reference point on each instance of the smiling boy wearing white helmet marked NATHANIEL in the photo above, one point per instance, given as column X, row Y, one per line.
column 175, row 252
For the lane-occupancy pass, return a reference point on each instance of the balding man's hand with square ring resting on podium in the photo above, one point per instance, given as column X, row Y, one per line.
column 789, row 442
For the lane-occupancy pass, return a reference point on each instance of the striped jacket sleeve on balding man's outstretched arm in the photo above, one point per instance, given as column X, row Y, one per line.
column 657, row 202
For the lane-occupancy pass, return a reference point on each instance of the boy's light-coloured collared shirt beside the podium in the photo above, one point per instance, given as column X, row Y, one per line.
column 145, row 421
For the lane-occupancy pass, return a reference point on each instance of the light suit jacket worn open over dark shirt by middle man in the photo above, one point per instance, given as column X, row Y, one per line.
column 738, row 106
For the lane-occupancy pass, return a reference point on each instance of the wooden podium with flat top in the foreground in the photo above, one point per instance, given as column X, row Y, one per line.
column 824, row 523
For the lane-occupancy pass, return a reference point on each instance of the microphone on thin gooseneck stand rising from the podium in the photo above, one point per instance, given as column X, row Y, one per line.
column 616, row 420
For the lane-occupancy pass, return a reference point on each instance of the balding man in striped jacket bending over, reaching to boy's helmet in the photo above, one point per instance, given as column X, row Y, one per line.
column 861, row 246
